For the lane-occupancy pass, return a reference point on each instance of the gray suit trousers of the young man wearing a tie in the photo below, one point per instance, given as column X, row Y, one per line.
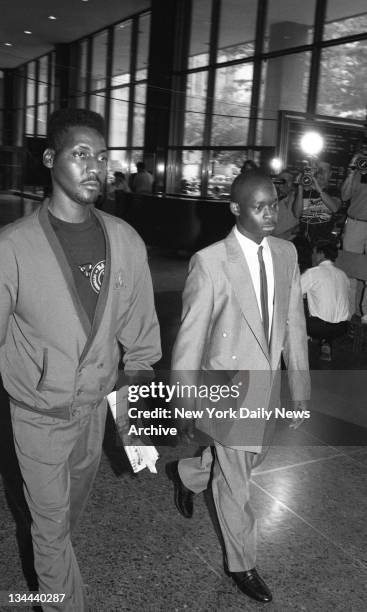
column 231, row 494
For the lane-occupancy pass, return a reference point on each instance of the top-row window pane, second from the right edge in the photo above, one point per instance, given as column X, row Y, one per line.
column 289, row 24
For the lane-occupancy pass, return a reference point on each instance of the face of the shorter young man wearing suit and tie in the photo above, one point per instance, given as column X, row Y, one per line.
column 258, row 211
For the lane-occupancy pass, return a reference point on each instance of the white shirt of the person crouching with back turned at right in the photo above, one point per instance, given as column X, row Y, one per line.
column 327, row 290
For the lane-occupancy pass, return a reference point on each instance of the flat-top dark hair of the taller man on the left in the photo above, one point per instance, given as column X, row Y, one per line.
column 64, row 118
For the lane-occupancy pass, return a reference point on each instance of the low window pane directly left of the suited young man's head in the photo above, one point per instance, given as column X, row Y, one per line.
column 223, row 168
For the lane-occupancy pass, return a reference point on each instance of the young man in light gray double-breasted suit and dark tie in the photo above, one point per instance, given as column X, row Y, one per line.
column 242, row 310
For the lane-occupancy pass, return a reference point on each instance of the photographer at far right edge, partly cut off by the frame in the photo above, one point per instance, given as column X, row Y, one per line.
column 354, row 189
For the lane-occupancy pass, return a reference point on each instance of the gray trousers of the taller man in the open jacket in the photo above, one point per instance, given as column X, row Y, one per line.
column 59, row 460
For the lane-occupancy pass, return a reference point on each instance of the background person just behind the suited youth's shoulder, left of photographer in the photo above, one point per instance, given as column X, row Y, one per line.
column 287, row 225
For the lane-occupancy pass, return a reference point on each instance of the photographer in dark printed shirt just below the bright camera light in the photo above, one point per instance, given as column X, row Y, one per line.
column 316, row 202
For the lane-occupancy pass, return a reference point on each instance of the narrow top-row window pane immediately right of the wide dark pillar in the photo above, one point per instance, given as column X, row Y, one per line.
column 200, row 33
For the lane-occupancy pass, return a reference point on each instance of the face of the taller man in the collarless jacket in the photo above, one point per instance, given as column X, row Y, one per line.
column 79, row 166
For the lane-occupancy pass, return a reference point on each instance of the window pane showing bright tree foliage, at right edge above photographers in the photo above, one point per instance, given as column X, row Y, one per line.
column 342, row 92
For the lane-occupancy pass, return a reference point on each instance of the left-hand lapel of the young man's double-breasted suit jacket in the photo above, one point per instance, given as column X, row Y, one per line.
column 240, row 278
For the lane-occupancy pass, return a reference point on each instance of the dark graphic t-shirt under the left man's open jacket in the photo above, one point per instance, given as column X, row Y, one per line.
column 85, row 249
